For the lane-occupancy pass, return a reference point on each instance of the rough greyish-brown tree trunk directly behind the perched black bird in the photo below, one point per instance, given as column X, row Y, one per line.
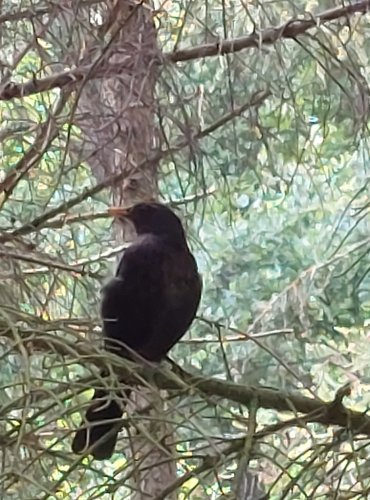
column 116, row 117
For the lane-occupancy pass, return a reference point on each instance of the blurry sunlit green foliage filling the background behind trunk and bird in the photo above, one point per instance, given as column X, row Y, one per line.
column 276, row 204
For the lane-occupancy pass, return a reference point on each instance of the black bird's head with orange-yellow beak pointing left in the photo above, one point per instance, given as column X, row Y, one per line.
column 151, row 218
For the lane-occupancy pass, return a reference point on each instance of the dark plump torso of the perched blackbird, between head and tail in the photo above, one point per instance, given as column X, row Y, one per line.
column 152, row 301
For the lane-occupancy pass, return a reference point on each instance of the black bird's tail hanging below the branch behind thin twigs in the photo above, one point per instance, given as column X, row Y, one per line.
column 99, row 433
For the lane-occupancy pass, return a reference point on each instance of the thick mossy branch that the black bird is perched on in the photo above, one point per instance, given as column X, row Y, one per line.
column 311, row 410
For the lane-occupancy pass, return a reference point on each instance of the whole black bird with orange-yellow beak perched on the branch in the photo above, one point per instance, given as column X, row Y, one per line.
column 146, row 308
